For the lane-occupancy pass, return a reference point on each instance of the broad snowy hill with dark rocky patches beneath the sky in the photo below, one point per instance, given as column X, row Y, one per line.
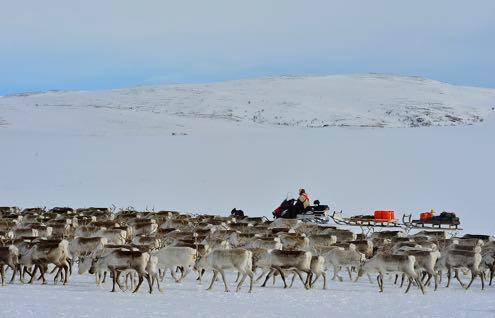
column 371, row 100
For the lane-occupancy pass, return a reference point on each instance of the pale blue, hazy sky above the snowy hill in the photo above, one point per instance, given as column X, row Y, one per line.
column 59, row 44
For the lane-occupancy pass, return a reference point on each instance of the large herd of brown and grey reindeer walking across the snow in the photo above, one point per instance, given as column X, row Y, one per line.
column 130, row 246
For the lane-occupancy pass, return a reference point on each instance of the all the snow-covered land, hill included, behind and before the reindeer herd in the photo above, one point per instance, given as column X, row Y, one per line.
column 209, row 148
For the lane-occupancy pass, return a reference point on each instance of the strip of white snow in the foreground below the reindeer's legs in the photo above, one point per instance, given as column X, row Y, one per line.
column 81, row 298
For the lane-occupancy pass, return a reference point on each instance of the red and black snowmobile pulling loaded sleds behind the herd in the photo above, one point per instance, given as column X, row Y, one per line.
column 316, row 213
